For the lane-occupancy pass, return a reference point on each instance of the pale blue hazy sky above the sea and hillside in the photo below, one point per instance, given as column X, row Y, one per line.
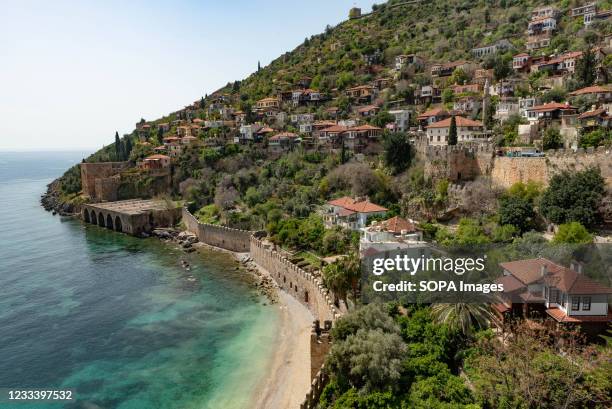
column 73, row 73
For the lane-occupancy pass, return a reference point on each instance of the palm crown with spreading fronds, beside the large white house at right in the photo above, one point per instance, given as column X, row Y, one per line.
column 464, row 316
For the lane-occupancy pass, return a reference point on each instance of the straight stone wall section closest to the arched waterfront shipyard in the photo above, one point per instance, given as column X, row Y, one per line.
column 218, row 236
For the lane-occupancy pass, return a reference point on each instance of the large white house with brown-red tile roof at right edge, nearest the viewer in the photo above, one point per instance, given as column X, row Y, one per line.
column 542, row 288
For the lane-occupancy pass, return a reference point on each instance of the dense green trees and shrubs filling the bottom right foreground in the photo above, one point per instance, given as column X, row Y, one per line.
column 383, row 359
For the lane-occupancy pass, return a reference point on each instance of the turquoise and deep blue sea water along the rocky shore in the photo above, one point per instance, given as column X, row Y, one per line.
column 115, row 318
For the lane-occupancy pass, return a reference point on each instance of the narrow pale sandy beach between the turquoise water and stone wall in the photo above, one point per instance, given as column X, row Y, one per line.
column 289, row 374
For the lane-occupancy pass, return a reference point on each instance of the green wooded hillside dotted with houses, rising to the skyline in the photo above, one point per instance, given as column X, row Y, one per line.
column 241, row 183
